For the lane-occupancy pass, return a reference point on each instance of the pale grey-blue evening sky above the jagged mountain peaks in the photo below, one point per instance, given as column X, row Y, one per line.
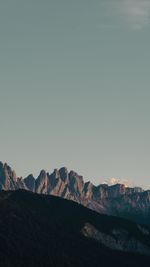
column 75, row 87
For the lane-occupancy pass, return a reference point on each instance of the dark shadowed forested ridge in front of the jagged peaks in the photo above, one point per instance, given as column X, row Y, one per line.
column 39, row 230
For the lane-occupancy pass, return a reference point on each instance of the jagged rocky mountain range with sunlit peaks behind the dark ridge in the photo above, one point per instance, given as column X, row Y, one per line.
column 117, row 200
